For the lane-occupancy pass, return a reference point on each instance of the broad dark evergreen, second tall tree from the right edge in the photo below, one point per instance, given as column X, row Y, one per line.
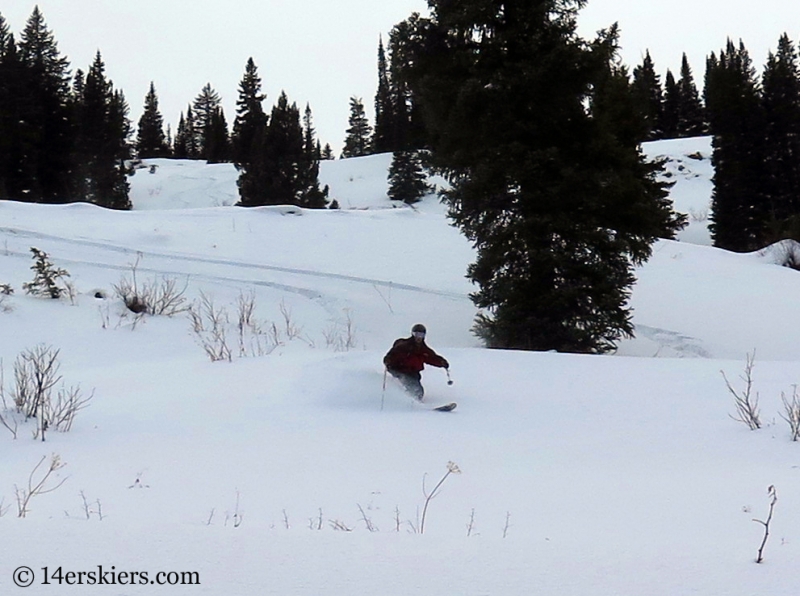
column 732, row 96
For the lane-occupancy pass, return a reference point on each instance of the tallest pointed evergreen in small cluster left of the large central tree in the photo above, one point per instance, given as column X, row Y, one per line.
column 250, row 124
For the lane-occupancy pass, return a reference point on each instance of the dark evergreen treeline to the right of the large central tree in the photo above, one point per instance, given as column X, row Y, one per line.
column 754, row 122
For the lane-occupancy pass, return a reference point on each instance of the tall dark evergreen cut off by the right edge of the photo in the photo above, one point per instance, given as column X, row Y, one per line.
column 781, row 104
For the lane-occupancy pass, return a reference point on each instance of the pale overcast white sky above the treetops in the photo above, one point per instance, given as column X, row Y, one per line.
column 325, row 51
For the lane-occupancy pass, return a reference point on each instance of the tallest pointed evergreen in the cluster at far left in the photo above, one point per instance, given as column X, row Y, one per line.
column 44, row 116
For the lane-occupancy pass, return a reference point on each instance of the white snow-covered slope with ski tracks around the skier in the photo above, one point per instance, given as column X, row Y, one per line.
column 609, row 475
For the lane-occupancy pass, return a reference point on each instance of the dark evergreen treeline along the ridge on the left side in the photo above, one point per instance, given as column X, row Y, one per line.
column 68, row 138
